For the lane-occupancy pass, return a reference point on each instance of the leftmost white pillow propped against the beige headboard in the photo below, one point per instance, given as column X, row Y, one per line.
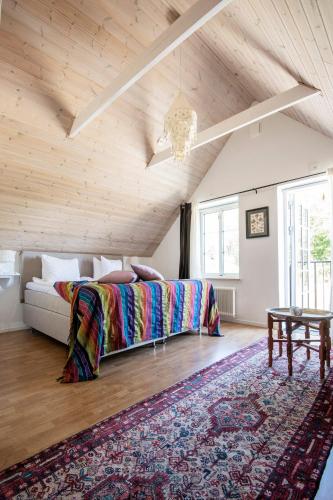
column 54, row 269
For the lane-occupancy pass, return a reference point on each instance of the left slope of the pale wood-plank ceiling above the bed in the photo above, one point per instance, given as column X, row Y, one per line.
column 92, row 194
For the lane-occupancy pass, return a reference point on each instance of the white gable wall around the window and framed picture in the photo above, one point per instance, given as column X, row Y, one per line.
column 284, row 149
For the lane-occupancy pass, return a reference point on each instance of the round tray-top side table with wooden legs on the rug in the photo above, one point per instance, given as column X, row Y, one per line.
column 310, row 319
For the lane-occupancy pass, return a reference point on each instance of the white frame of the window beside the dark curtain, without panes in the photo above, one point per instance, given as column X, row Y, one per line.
column 220, row 208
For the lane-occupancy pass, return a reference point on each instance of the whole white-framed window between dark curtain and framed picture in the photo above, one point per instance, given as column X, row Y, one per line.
column 220, row 239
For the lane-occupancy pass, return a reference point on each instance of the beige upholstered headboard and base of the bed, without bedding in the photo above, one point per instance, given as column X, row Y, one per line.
column 54, row 324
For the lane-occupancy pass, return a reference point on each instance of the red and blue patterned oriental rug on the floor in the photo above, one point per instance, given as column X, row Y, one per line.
column 236, row 429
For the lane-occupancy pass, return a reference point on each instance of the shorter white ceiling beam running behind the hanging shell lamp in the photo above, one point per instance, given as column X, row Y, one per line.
column 253, row 114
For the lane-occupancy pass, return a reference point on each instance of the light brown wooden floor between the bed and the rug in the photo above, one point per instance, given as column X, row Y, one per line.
column 36, row 411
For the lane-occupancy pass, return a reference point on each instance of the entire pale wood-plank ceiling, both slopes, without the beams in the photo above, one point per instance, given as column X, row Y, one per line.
column 93, row 193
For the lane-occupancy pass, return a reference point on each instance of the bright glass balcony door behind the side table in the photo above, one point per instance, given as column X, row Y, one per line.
column 307, row 248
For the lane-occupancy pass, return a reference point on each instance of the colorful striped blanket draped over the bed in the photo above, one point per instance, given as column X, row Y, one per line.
column 106, row 318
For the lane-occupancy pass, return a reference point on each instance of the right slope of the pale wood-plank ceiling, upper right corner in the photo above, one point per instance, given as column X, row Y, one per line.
column 270, row 44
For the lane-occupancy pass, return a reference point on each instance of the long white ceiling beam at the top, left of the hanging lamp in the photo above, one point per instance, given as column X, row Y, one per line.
column 176, row 34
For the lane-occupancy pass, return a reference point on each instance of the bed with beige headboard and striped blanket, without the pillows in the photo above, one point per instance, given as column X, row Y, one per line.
column 103, row 319
